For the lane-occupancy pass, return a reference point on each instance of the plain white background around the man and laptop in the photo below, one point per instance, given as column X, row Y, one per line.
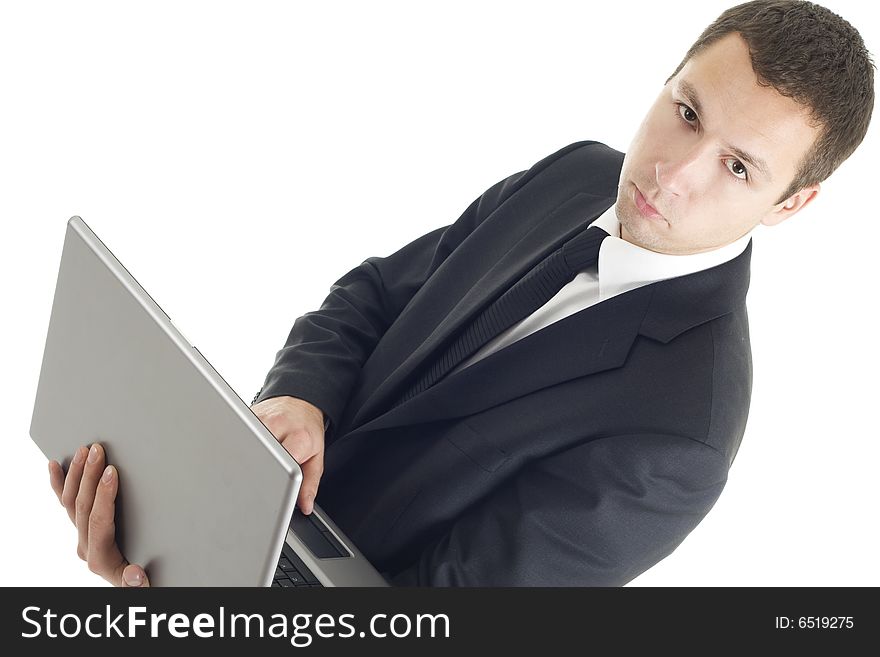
column 238, row 158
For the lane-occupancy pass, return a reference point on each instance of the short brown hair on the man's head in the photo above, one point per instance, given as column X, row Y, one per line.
column 812, row 55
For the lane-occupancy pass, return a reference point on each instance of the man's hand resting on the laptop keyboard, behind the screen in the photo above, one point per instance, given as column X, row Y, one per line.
column 299, row 427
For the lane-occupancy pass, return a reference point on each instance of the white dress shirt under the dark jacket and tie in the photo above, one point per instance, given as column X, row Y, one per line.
column 622, row 266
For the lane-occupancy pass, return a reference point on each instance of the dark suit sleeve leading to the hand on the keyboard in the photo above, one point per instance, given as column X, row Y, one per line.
column 326, row 348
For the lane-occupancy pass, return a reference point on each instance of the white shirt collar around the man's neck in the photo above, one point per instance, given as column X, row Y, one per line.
column 624, row 266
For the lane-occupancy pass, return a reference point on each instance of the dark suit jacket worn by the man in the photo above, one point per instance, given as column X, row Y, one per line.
column 581, row 454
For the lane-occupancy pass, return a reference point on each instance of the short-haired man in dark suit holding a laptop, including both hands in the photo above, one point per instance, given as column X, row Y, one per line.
column 518, row 399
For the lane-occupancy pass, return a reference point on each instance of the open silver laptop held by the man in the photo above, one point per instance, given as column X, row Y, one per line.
column 207, row 494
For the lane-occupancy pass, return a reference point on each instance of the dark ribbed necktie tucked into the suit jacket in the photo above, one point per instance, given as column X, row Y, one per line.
column 531, row 292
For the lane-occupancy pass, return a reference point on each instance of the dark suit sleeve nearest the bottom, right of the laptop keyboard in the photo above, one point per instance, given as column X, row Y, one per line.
column 598, row 514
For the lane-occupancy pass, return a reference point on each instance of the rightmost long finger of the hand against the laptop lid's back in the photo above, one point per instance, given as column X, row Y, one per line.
column 104, row 557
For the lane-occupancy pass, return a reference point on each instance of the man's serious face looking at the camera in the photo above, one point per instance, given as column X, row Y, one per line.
column 690, row 159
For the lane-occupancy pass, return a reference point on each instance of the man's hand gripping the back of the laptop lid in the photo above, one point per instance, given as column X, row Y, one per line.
column 88, row 493
